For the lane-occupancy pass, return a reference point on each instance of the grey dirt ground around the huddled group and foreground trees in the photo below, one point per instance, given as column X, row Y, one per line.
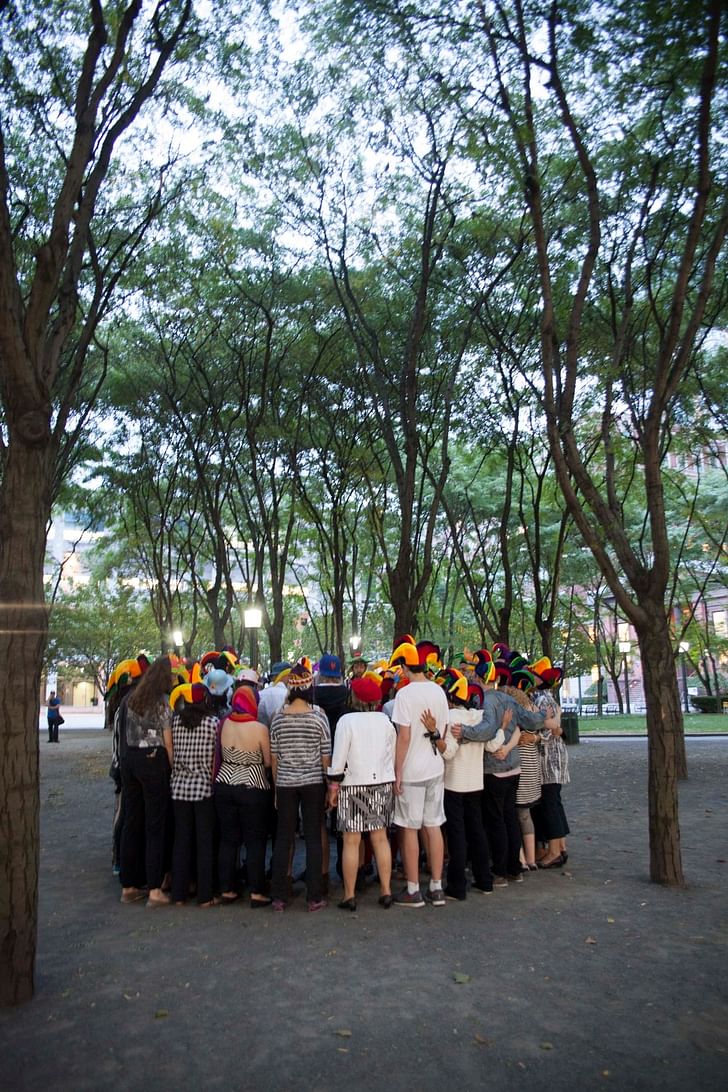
column 583, row 978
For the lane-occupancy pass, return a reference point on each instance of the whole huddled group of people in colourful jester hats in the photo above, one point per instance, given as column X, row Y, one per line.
column 438, row 766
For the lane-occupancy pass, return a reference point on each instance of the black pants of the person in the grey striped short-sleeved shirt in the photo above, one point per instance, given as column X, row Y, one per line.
column 312, row 800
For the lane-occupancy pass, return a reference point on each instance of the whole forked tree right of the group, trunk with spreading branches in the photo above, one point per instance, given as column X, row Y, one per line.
column 642, row 265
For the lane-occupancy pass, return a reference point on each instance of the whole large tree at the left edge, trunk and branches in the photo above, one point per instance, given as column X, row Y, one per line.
column 75, row 81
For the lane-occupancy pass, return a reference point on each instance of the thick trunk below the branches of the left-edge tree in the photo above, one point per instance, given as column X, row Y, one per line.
column 25, row 513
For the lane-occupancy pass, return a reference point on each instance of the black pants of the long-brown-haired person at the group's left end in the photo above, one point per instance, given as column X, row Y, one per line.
column 146, row 784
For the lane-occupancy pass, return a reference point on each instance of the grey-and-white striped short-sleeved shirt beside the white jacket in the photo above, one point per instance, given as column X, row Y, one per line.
column 301, row 742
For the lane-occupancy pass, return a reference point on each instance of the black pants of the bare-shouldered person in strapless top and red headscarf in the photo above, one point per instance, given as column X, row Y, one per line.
column 245, row 817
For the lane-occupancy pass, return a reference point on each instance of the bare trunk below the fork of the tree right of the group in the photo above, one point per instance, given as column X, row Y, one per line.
column 666, row 750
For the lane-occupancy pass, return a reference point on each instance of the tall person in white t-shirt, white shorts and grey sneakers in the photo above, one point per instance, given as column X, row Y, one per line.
column 420, row 776
